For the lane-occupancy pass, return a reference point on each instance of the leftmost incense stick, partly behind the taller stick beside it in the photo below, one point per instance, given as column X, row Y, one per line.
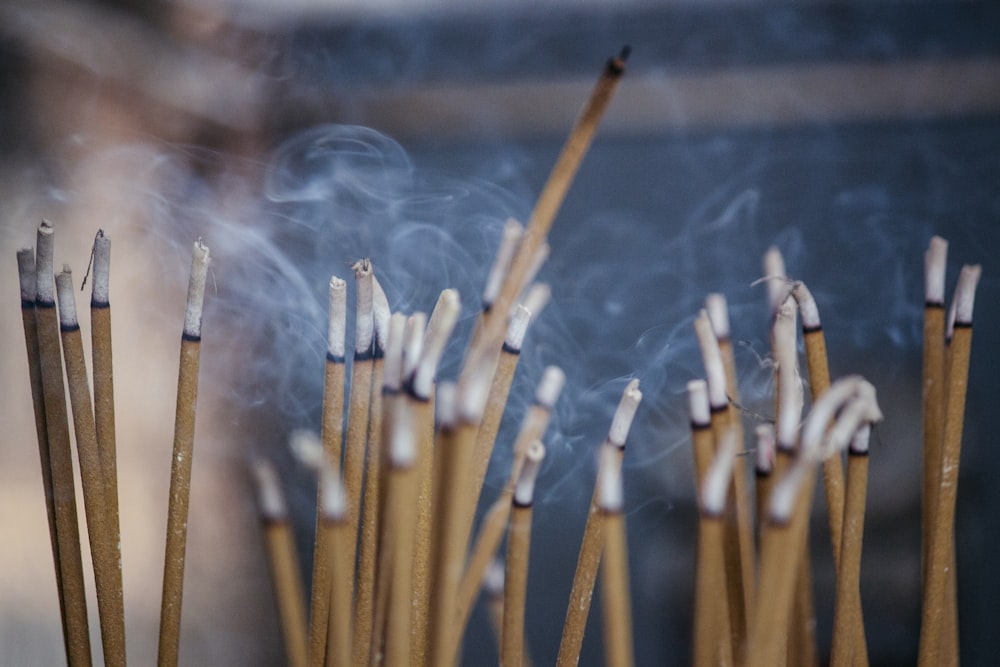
column 28, row 281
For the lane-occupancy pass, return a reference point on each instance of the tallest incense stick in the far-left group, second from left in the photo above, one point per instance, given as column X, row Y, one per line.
column 60, row 457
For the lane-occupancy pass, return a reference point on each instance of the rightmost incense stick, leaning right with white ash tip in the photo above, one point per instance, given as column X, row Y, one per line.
column 942, row 536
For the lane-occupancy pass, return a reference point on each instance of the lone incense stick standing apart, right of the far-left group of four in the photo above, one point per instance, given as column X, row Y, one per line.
column 180, row 468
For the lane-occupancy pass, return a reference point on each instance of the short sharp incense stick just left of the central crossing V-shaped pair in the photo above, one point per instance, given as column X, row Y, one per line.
column 518, row 546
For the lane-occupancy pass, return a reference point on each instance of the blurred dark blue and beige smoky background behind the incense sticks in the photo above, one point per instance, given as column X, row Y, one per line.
column 296, row 140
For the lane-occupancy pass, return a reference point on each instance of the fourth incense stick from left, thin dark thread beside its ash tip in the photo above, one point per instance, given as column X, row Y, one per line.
column 104, row 387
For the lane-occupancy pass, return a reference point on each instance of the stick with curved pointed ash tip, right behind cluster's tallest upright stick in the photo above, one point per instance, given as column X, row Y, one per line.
column 371, row 510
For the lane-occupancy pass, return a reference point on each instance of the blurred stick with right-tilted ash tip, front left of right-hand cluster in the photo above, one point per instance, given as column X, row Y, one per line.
column 712, row 636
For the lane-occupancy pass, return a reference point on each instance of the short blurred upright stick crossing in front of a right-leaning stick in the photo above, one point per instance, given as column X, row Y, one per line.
column 615, row 594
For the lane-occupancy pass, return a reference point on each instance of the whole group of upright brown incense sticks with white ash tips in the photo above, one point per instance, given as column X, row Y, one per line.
column 400, row 461
